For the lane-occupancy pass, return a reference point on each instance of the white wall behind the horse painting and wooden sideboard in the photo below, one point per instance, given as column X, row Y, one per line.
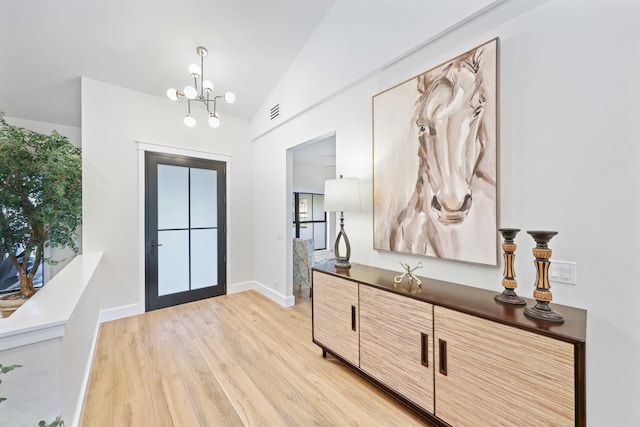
column 568, row 155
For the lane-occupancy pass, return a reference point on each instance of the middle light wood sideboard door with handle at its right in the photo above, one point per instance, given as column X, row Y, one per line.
column 396, row 343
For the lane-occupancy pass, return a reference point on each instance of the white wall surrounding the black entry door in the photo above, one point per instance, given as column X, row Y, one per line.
column 113, row 119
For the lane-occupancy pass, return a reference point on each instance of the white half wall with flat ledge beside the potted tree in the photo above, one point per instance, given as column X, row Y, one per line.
column 53, row 337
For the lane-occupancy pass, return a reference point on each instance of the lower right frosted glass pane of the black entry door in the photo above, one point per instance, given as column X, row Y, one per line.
column 204, row 258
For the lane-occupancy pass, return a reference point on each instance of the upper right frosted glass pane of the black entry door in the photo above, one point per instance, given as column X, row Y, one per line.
column 204, row 196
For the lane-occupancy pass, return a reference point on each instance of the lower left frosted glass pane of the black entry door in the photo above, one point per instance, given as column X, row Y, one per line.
column 173, row 262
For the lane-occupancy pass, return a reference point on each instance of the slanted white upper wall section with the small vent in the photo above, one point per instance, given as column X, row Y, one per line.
column 355, row 37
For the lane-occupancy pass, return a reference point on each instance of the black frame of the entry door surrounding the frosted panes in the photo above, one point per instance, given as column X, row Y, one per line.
column 152, row 300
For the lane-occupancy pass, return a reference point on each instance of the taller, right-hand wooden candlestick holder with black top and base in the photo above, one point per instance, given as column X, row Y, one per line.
column 542, row 292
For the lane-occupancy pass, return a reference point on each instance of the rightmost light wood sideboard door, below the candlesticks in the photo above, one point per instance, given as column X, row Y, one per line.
column 494, row 374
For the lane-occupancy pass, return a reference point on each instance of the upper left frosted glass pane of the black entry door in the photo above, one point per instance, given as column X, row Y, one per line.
column 173, row 197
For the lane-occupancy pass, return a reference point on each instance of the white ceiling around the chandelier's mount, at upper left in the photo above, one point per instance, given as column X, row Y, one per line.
column 145, row 45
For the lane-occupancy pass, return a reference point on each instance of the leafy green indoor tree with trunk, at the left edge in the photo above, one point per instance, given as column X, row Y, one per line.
column 40, row 197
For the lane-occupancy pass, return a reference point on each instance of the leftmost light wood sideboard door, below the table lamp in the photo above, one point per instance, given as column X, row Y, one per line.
column 335, row 316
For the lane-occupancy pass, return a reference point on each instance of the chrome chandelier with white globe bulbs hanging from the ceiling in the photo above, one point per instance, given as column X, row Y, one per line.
column 200, row 93
